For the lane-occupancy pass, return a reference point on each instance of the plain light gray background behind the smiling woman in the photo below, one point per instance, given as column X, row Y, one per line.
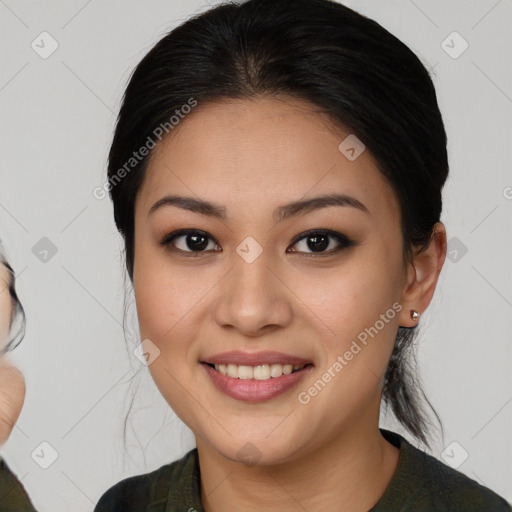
column 58, row 116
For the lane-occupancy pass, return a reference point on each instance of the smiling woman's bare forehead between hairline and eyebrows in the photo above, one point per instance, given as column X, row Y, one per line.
column 258, row 153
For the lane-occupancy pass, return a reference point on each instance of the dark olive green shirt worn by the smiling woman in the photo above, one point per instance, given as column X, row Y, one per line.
column 421, row 483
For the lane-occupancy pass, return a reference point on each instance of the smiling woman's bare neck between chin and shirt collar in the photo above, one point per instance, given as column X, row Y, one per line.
column 353, row 469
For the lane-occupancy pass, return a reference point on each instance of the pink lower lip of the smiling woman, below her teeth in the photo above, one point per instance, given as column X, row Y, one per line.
column 252, row 390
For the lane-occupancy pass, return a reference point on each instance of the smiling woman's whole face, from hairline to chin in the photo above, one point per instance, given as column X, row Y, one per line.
column 246, row 285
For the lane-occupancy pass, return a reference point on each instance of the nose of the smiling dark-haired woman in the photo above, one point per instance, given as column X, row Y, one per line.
column 253, row 299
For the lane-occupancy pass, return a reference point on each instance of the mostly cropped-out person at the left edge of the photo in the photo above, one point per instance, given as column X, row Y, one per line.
column 13, row 497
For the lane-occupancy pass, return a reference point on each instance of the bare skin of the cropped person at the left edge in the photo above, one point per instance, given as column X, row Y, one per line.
column 12, row 383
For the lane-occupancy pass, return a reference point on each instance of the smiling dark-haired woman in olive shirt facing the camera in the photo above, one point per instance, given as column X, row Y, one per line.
column 276, row 174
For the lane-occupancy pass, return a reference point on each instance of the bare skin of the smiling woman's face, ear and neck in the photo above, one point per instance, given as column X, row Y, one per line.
column 251, row 156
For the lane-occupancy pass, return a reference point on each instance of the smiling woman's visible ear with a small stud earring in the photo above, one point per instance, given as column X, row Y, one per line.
column 422, row 275
